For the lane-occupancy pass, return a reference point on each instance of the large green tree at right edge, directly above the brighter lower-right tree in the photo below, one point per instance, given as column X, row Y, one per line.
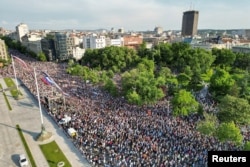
column 234, row 109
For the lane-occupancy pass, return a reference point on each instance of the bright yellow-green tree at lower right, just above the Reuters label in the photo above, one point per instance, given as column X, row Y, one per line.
column 229, row 132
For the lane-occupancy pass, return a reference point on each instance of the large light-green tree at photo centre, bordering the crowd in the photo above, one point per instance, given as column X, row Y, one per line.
column 144, row 83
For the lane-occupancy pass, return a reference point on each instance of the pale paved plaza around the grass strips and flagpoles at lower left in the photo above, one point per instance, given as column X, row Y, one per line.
column 26, row 113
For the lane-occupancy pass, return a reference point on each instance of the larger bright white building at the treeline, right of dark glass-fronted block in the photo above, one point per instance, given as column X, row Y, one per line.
column 94, row 42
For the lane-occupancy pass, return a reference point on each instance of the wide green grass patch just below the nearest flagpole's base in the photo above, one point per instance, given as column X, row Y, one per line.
column 53, row 154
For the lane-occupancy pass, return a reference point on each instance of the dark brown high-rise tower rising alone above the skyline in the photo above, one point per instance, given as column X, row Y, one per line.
column 190, row 23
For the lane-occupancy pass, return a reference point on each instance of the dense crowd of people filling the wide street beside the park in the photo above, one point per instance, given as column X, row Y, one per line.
column 111, row 132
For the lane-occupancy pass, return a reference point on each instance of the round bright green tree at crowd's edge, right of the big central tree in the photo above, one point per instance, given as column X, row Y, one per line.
column 184, row 103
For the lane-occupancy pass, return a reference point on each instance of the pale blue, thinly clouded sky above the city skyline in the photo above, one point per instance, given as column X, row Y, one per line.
column 132, row 15
